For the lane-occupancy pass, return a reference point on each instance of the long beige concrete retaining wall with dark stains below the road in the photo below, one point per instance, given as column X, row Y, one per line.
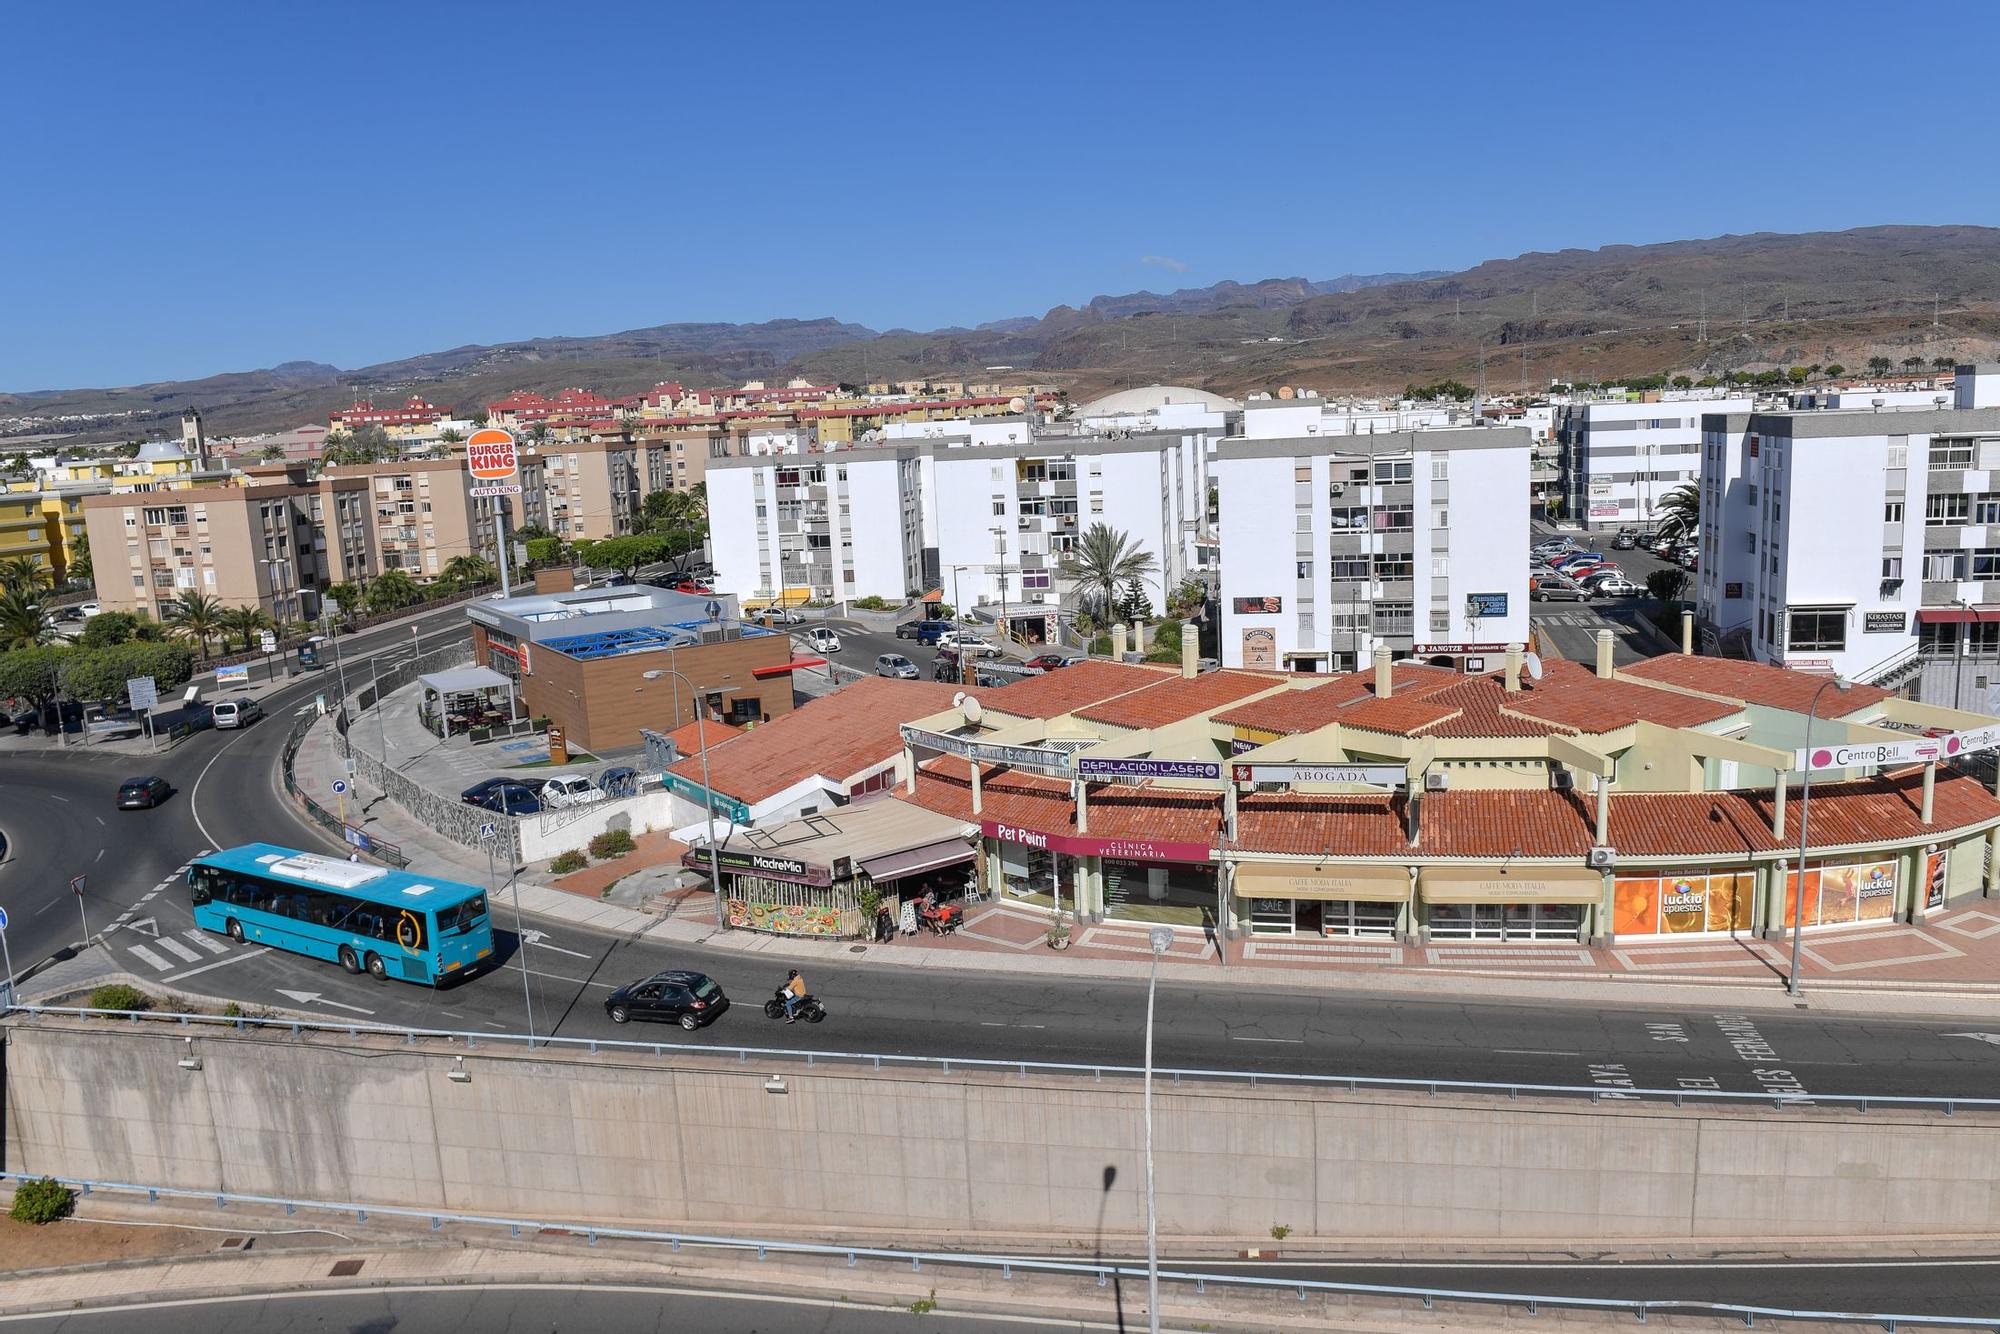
column 933, row 1155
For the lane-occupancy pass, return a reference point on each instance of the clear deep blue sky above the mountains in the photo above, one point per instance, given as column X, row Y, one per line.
column 223, row 187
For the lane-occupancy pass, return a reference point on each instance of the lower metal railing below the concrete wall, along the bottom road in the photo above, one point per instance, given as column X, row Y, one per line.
column 1103, row 1271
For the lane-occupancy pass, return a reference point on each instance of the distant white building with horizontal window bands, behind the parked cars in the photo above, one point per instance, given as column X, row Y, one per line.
column 1621, row 459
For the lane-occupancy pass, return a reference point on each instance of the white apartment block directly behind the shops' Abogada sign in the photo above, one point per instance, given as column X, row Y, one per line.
column 1337, row 543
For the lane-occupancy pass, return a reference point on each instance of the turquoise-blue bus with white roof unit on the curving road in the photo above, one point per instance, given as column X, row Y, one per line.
column 367, row 919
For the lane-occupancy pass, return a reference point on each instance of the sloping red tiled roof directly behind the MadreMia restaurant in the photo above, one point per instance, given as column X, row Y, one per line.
column 835, row 737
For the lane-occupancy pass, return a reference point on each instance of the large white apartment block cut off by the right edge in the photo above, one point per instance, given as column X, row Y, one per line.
column 1849, row 539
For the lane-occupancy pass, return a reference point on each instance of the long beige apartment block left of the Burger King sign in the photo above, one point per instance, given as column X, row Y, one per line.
column 279, row 539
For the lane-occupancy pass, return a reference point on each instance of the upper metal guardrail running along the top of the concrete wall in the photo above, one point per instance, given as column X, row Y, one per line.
column 945, row 1065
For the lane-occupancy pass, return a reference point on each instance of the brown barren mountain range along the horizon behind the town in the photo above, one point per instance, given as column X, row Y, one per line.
column 1573, row 315
